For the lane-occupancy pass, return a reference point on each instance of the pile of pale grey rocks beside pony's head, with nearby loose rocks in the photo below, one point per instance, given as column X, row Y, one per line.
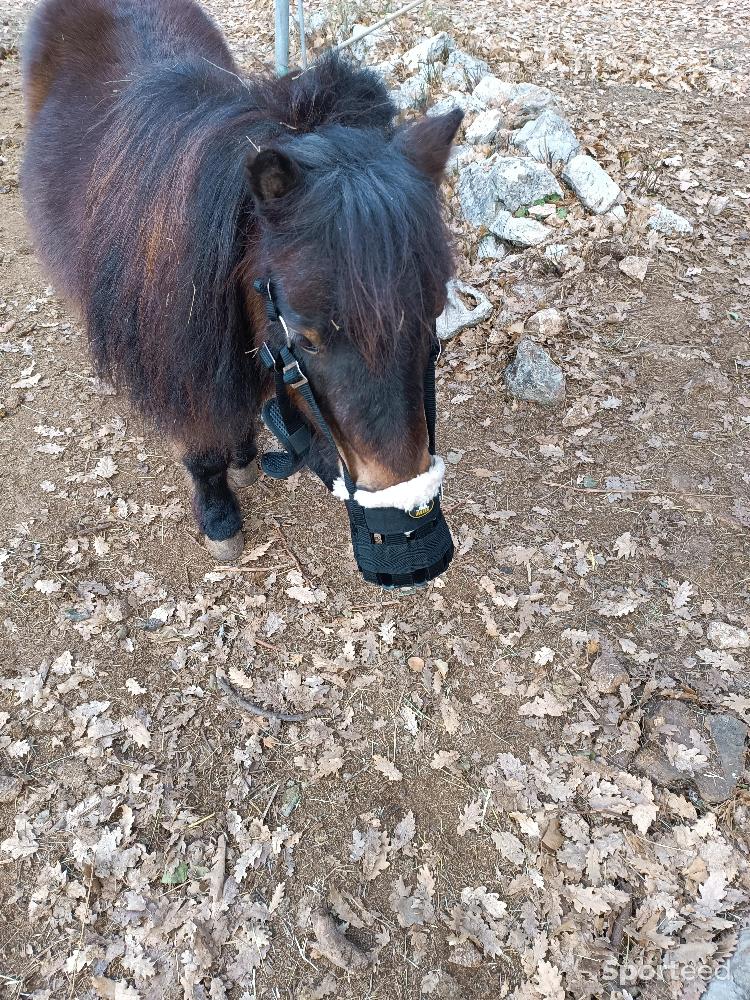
column 518, row 162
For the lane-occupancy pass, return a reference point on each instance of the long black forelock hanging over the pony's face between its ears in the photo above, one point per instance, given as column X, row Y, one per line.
column 373, row 222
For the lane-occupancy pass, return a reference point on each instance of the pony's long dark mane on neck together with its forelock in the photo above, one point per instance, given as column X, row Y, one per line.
column 171, row 220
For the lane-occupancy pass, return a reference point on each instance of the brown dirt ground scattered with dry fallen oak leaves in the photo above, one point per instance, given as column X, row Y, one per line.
column 464, row 803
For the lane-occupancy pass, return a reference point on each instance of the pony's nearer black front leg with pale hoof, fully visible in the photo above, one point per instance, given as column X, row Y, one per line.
column 214, row 504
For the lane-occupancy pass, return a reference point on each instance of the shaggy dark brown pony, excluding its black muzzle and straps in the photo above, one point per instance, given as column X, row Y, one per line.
column 159, row 183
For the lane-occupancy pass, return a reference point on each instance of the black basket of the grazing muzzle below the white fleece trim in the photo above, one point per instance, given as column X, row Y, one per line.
column 396, row 548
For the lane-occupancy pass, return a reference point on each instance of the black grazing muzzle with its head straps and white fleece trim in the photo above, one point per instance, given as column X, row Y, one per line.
column 393, row 547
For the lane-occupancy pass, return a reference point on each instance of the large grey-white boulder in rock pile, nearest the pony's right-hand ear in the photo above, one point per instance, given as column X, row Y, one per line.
column 503, row 182
